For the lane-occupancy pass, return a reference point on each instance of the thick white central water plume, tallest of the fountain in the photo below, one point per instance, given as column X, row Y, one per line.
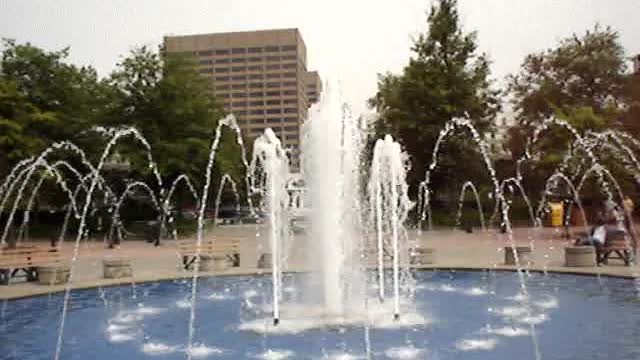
column 331, row 153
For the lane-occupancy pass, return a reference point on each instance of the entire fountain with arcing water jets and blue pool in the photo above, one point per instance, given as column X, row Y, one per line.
column 341, row 288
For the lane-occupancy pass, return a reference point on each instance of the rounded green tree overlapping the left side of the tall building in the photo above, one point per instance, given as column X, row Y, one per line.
column 165, row 97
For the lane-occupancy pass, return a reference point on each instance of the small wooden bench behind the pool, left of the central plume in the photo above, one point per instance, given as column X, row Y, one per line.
column 227, row 247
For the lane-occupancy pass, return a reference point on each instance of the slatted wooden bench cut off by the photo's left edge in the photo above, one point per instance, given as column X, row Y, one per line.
column 26, row 259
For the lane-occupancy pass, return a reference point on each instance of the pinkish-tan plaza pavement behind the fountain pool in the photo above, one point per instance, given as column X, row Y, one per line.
column 453, row 250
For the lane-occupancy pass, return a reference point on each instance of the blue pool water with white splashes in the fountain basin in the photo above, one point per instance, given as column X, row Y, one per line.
column 467, row 315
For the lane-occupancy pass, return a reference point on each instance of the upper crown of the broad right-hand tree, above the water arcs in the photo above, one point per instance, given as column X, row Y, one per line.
column 581, row 72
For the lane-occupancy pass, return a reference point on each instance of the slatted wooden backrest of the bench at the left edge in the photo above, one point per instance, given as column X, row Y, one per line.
column 29, row 256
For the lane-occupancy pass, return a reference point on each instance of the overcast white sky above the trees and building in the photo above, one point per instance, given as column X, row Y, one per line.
column 347, row 40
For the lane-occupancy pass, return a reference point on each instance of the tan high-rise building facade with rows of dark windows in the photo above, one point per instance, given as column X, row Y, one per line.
column 259, row 76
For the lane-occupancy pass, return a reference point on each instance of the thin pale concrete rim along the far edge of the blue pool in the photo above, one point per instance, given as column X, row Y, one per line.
column 26, row 290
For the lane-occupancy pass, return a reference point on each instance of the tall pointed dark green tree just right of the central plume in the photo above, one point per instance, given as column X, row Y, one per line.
column 445, row 78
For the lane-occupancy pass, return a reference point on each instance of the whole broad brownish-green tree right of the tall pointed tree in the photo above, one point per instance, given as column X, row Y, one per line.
column 582, row 81
